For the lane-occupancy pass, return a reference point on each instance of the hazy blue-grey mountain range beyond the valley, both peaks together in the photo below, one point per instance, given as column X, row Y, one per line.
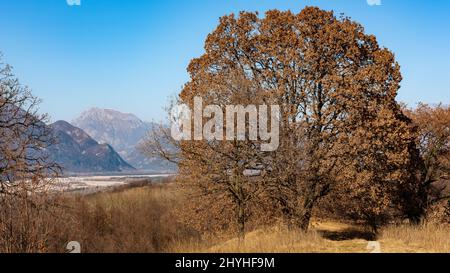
column 103, row 140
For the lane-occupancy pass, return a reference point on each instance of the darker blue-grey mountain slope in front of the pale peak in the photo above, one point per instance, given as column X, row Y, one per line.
column 76, row 151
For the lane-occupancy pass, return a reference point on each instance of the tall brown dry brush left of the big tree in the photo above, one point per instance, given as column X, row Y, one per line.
column 126, row 220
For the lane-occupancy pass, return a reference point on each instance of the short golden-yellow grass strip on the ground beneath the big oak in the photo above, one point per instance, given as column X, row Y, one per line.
column 329, row 237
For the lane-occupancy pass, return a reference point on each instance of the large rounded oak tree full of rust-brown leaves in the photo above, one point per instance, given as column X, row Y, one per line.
column 340, row 125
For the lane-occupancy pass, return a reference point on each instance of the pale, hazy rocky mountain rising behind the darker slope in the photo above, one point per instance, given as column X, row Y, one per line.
column 122, row 131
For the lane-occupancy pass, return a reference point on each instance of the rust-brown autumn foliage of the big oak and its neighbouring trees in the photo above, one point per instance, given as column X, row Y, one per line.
column 345, row 143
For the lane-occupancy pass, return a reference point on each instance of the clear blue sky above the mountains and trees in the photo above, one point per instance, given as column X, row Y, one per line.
column 131, row 55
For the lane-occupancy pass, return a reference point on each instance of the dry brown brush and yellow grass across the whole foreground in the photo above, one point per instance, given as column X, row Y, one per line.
column 144, row 220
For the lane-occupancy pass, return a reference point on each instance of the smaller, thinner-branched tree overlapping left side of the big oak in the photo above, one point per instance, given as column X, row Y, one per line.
column 213, row 172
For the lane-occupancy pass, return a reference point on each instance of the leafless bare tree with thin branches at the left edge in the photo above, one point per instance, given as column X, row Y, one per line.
column 25, row 171
